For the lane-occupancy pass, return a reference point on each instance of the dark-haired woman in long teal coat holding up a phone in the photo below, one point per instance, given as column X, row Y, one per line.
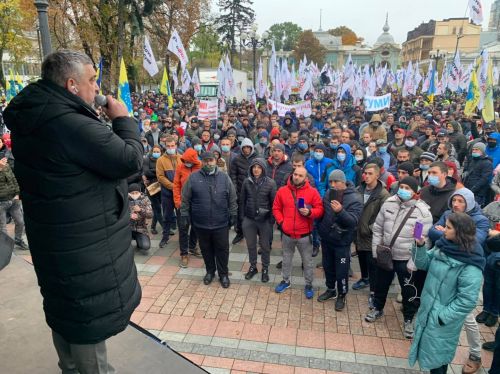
column 455, row 272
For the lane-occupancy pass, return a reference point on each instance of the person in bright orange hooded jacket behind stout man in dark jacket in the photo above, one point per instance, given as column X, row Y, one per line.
column 187, row 238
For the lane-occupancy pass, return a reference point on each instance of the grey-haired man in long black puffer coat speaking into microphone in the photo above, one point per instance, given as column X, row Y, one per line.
column 72, row 172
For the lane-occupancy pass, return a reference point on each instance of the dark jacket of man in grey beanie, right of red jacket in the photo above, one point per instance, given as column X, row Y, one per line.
column 340, row 228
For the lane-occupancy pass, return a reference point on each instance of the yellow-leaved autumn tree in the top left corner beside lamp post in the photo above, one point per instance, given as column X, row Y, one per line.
column 14, row 16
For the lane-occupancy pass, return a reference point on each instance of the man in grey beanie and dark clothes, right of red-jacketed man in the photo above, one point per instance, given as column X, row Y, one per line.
column 337, row 229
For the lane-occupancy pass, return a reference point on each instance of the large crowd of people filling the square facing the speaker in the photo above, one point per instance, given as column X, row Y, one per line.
column 412, row 191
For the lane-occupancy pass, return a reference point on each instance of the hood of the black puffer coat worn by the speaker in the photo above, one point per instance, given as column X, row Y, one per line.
column 40, row 102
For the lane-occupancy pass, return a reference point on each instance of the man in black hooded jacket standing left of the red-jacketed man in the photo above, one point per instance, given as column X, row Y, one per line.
column 257, row 197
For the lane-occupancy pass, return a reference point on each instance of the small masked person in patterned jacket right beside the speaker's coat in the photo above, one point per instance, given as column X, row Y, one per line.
column 140, row 211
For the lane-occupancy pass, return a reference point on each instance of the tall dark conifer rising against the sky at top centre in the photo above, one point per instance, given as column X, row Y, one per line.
column 236, row 17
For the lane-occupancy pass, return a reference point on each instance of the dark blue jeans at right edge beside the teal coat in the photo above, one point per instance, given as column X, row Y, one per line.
column 491, row 286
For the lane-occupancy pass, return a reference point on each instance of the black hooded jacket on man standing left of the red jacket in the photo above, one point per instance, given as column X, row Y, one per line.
column 257, row 195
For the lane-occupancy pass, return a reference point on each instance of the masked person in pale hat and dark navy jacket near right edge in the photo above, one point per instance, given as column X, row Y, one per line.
column 478, row 174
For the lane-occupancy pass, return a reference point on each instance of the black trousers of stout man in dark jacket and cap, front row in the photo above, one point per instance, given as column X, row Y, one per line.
column 214, row 245
